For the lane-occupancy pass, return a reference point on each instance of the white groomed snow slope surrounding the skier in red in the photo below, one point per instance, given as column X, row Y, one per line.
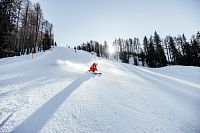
column 54, row 93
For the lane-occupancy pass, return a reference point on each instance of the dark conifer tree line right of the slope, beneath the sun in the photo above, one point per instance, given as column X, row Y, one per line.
column 153, row 52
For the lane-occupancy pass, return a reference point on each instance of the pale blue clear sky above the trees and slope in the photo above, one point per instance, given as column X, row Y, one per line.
column 78, row 21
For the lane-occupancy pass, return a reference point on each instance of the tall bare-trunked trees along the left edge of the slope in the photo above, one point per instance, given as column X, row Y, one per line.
column 23, row 28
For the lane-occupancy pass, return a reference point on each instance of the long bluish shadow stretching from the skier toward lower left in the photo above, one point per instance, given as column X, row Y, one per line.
column 39, row 118
